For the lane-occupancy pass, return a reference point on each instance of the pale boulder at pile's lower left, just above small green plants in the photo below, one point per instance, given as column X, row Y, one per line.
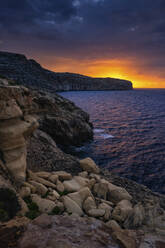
column 45, row 205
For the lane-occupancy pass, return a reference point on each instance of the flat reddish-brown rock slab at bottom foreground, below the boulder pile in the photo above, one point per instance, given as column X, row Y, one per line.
column 68, row 232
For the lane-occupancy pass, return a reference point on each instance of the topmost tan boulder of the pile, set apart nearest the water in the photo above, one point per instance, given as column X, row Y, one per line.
column 89, row 165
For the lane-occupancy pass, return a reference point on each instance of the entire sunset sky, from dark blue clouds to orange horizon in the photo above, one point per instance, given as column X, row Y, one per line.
column 100, row 38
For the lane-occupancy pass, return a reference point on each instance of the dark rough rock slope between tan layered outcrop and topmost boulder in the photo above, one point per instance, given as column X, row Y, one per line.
column 43, row 154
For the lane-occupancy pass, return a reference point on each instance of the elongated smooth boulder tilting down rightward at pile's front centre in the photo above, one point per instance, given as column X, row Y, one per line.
column 71, row 206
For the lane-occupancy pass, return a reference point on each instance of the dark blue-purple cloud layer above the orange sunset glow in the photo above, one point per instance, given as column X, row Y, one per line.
column 87, row 28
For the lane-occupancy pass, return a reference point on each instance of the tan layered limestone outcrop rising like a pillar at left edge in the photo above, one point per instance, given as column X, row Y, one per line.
column 15, row 126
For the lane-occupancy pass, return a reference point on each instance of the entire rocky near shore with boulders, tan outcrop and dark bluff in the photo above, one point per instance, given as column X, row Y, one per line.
column 52, row 199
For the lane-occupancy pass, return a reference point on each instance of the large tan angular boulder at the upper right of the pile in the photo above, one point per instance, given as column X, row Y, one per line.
column 116, row 194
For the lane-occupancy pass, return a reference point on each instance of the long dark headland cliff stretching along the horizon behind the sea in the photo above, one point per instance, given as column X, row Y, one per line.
column 29, row 73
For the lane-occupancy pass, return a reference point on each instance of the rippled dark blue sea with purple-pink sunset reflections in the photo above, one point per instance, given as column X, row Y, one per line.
column 129, row 133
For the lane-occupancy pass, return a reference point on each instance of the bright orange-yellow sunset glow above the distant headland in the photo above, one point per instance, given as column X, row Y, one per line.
column 123, row 69
